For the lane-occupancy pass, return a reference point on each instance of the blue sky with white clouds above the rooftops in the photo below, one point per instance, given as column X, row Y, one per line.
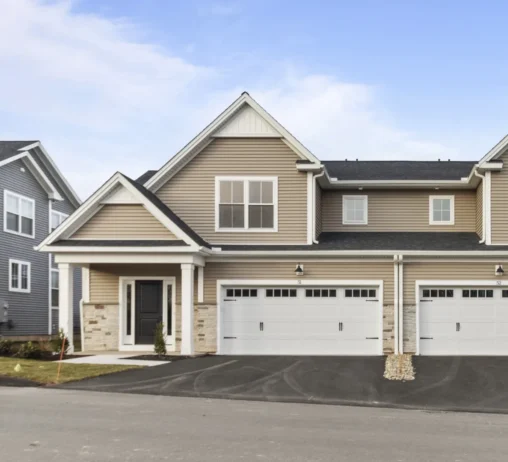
column 112, row 85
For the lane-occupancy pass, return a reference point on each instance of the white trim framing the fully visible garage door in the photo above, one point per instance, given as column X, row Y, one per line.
column 297, row 283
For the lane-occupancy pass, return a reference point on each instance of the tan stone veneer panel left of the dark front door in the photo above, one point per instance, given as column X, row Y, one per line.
column 100, row 325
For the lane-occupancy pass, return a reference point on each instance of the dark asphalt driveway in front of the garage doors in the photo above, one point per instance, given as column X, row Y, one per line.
column 442, row 383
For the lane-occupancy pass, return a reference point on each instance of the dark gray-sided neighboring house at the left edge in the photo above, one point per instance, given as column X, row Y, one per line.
column 35, row 200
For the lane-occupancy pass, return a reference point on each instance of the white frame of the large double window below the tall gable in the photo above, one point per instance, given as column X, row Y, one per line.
column 246, row 180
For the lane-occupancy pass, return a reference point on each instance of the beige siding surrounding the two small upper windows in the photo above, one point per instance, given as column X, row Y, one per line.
column 400, row 210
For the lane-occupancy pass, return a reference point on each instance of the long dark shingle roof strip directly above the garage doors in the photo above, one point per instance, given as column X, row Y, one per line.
column 383, row 241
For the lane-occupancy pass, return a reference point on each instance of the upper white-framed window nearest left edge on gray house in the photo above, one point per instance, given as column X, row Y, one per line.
column 19, row 214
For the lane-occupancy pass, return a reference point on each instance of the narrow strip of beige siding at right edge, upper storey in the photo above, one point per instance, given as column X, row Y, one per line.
column 499, row 204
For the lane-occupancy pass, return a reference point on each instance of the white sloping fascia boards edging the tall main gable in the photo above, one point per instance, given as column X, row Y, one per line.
column 204, row 137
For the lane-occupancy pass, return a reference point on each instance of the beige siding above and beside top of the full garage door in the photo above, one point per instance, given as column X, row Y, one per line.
column 286, row 270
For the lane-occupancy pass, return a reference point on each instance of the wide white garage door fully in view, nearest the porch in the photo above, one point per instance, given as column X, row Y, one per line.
column 301, row 321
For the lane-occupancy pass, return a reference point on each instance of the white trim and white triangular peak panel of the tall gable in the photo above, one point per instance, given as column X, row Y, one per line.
column 255, row 116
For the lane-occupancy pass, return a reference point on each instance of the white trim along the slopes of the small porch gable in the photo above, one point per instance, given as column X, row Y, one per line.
column 95, row 202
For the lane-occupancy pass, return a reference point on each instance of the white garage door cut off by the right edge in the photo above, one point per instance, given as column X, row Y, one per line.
column 463, row 321
